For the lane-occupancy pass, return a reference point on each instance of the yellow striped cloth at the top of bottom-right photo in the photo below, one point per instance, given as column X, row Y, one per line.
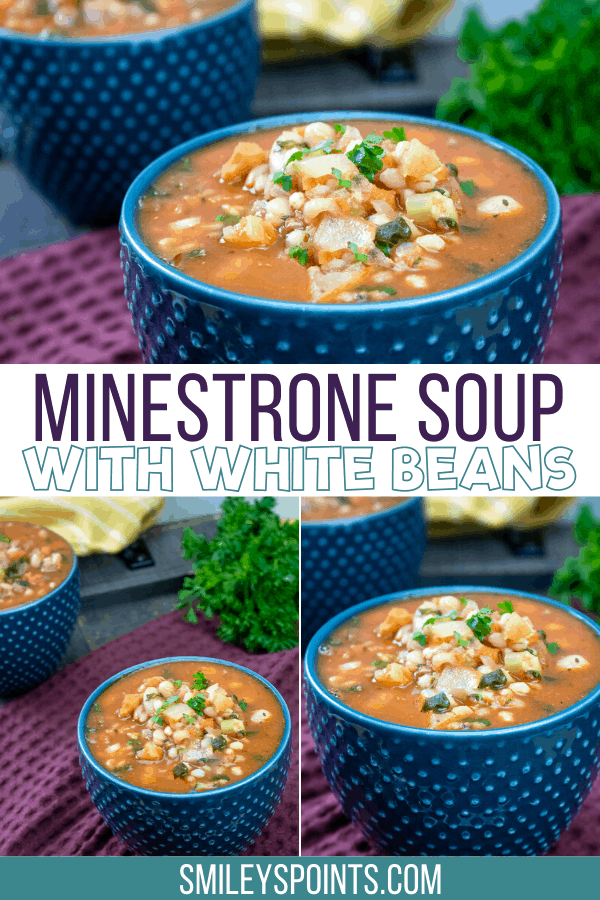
column 454, row 516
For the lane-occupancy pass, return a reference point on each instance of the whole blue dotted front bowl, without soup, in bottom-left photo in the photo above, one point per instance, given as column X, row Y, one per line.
column 222, row 822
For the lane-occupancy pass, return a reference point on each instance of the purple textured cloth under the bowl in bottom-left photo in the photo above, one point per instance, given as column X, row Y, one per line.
column 45, row 809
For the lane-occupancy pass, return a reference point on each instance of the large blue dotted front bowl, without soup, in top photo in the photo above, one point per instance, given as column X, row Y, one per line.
column 504, row 317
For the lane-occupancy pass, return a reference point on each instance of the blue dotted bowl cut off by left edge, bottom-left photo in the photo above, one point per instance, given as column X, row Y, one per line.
column 34, row 637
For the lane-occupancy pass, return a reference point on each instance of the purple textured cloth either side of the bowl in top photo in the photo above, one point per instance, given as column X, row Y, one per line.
column 65, row 304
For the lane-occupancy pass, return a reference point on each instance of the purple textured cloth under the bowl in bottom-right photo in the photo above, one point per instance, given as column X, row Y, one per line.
column 326, row 831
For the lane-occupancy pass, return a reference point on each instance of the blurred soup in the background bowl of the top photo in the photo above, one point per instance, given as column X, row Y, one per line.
column 97, row 18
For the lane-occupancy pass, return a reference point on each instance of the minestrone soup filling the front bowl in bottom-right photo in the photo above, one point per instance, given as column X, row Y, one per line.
column 461, row 663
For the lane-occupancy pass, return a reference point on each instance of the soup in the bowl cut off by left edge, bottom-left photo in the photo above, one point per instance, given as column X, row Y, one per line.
column 33, row 562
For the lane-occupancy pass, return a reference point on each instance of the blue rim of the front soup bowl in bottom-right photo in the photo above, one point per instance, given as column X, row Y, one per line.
column 393, row 729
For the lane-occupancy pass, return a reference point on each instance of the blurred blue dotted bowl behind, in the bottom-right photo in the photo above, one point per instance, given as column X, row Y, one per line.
column 345, row 561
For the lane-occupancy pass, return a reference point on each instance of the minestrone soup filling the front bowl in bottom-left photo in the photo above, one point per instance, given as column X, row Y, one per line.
column 185, row 727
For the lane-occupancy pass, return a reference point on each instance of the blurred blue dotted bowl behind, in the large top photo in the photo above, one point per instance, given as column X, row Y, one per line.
column 86, row 115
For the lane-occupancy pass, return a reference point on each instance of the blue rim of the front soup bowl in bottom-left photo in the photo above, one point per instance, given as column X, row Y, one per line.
column 144, row 792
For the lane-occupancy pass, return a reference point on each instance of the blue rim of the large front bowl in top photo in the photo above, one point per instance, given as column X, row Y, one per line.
column 173, row 279
